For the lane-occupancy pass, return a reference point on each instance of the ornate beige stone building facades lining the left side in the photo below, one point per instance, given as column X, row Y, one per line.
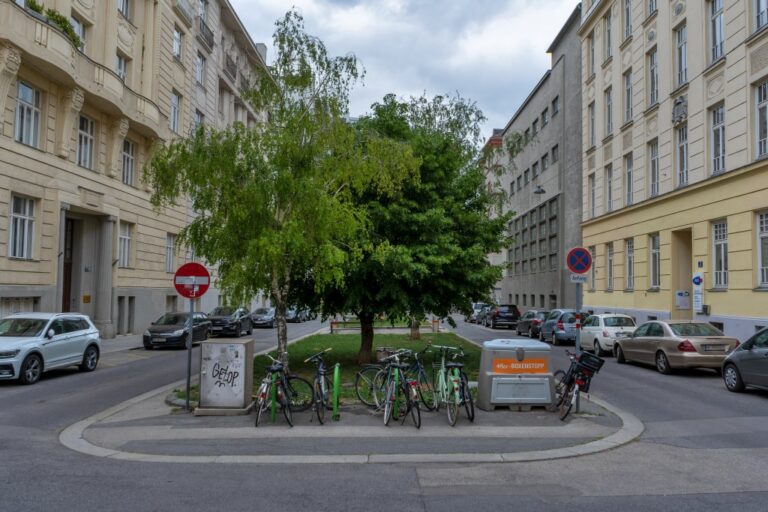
column 77, row 231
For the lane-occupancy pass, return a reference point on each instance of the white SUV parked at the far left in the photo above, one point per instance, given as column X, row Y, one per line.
column 33, row 343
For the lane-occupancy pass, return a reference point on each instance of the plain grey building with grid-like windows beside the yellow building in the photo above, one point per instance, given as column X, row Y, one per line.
column 542, row 182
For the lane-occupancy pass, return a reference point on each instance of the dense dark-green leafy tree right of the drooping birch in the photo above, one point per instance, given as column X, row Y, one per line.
column 426, row 246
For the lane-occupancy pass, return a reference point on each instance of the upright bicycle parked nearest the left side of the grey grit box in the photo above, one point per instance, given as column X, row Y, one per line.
column 452, row 386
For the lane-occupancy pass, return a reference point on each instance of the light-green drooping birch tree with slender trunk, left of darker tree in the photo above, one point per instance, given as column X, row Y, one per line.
column 275, row 200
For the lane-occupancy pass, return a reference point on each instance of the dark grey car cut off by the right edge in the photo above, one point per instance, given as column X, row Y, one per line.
column 747, row 366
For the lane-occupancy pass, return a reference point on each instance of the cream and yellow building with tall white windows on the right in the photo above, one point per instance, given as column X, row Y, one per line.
column 675, row 186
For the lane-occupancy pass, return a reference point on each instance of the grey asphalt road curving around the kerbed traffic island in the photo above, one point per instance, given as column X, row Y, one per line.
column 704, row 449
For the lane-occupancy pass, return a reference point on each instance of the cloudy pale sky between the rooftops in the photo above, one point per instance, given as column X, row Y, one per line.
column 492, row 52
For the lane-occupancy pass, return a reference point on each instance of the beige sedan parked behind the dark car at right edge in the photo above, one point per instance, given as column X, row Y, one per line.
column 675, row 344
